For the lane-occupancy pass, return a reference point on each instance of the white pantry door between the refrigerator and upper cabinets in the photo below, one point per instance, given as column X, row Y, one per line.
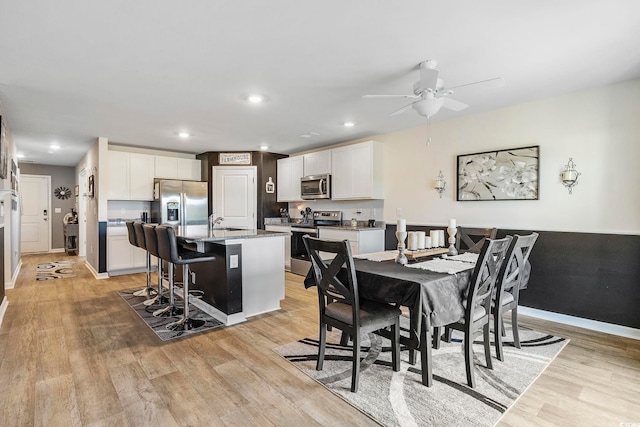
column 234, row 195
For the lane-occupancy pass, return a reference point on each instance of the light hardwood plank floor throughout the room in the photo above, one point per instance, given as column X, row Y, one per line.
column 72, row 353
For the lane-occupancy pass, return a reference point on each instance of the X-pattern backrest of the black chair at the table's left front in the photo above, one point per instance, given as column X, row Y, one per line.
column 326, row 273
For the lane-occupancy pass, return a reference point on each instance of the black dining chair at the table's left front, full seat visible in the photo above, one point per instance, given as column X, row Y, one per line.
column 340, row 305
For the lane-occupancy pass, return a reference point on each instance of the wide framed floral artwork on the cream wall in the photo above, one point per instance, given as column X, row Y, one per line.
column 510, row 174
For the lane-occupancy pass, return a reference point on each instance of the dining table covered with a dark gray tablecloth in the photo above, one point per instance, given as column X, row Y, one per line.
column 434, row 299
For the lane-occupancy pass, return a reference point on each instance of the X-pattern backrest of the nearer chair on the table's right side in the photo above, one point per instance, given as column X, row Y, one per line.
column 485, row 274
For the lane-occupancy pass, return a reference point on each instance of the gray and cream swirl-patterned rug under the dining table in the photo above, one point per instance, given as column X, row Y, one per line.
column 399, row 398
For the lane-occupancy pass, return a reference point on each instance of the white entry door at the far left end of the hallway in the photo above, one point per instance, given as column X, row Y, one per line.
column 35, row 230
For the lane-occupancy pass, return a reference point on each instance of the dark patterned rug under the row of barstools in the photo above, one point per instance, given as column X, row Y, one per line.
column 158, row 324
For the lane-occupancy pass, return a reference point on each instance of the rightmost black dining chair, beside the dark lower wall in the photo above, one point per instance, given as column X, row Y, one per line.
column 508, row 285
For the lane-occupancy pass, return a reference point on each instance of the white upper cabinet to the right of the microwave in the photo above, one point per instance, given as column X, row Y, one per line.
column 357, row 171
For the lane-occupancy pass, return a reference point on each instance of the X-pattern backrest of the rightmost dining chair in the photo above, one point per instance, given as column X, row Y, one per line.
column 512, row 269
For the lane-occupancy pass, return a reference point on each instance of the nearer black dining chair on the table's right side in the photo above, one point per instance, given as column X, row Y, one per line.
column 477, row 303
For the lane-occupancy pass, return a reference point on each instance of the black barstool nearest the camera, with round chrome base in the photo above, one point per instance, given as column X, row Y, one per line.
column 168, row 248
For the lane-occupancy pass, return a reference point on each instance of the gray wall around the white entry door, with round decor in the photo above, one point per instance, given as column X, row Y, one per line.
column 61, row 176
